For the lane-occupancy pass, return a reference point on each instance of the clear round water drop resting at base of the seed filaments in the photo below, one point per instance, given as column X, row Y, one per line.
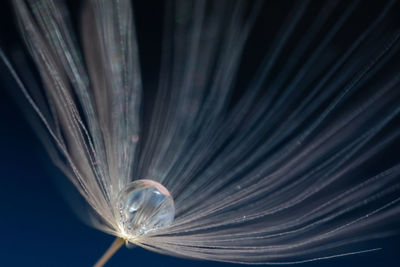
column 145, row 206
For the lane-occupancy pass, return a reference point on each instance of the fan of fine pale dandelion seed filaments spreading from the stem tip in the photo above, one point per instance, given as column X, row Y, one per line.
column 269, row 128
